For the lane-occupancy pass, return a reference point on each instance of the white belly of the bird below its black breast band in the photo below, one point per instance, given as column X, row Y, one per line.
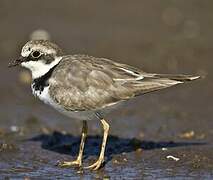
column 79, row 115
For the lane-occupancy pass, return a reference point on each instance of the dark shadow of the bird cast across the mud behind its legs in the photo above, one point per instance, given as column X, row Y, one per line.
column 68, row 144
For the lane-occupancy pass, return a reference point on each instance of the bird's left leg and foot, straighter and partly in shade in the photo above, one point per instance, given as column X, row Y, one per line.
column 78, row 161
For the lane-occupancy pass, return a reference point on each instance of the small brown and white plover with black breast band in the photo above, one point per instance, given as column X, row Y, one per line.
column 85, row 88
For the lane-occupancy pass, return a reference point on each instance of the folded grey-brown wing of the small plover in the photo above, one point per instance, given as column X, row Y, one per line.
column 86, row 83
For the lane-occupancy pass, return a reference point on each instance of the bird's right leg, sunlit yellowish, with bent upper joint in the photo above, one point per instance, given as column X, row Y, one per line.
column 100, row 160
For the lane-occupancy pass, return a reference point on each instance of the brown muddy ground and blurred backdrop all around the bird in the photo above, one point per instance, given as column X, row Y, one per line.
column 170, row 36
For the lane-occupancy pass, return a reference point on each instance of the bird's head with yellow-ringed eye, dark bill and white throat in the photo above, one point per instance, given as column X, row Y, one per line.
column 39, row 56
